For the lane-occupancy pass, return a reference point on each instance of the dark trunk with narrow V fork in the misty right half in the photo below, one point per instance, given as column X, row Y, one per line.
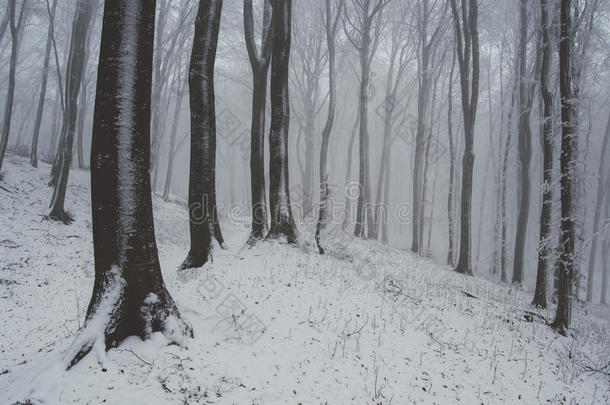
column 467, row 41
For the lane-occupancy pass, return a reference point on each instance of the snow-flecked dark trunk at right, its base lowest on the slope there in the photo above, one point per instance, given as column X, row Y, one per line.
column 567, row 239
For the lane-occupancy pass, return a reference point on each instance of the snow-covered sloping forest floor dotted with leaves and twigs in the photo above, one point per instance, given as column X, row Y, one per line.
column 365, row 324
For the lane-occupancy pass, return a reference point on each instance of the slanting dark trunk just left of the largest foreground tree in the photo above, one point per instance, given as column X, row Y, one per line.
column 74, row 75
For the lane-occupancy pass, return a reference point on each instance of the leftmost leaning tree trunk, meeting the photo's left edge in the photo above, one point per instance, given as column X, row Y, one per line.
column 10, row 94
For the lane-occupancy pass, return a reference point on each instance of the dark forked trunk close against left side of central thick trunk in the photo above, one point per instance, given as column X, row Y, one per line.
column 260, row 71
